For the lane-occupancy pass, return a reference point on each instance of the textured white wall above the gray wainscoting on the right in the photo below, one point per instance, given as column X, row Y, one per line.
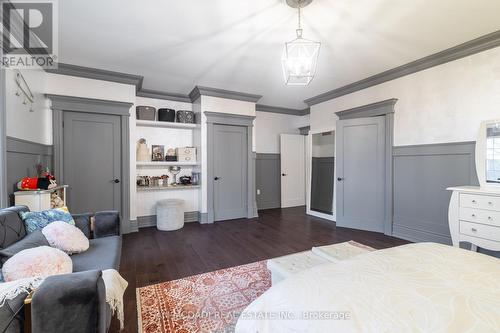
column 441, row 104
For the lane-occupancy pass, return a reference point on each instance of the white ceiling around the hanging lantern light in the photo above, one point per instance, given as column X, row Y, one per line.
column 237, row 44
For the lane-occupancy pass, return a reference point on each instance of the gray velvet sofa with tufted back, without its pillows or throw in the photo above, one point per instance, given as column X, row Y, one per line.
column 71, row 302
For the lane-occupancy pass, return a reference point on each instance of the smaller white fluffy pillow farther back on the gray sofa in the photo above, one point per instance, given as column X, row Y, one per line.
column 66, row 237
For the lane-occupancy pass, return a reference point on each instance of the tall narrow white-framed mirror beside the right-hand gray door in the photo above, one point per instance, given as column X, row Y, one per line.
column 322, row 172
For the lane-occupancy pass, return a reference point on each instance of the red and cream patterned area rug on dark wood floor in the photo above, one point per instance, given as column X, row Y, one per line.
column 209, row 302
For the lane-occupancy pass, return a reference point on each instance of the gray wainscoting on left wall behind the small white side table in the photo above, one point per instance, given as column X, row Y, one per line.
column 22, row 158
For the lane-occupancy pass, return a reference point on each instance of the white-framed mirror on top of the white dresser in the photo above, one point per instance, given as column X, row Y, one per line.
column 488, row 154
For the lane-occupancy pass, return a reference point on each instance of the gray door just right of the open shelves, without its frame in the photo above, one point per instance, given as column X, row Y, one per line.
column 230, row 172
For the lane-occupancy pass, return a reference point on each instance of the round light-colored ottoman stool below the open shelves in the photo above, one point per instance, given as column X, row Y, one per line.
column 170, row 214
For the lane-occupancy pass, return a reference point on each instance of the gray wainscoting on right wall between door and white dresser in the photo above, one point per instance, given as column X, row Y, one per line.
column 421, row 175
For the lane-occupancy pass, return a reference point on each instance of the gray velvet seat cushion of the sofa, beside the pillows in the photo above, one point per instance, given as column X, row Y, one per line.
column 103, row 253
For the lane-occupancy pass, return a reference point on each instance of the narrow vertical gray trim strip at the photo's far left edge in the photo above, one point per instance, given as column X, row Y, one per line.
column 3, row 141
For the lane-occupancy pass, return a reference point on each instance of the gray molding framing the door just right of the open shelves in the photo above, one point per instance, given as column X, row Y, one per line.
column 217, row 118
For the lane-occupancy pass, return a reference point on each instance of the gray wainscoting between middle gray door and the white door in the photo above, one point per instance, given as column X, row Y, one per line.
column 268, row 180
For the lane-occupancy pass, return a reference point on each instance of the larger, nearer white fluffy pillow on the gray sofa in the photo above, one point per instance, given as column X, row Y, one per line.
column 37, row 262
